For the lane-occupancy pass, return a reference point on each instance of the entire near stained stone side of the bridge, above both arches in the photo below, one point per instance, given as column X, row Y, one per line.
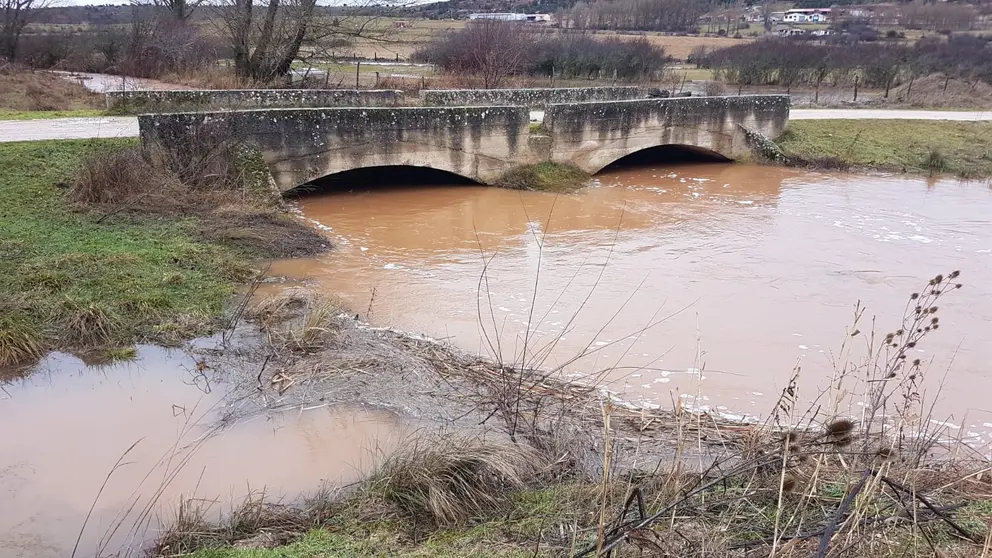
column 481, row 143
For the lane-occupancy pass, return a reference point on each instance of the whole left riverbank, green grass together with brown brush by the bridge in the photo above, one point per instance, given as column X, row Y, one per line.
column 100, row 249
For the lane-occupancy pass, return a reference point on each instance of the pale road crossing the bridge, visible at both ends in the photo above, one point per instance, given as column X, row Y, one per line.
column 127, row 126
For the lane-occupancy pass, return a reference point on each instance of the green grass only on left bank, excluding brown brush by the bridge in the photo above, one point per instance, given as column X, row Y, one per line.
column 68, row 281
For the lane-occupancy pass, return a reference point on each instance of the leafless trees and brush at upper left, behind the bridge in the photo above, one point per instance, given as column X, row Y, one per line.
column 262, row 39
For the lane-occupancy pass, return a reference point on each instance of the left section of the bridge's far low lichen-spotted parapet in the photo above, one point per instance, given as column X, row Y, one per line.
column 245, row 99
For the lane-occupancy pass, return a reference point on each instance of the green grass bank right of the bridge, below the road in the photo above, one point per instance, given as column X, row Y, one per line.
column 961, row 148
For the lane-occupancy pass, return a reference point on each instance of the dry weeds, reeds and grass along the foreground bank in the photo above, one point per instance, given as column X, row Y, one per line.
column 562, row 471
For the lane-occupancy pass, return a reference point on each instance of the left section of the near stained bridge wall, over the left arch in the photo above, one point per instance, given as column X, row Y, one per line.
column 300, row 145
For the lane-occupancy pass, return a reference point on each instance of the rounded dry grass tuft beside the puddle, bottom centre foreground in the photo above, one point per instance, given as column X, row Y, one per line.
column 451, row 480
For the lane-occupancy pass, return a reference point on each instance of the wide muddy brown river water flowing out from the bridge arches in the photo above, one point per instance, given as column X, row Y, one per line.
column 743, row 272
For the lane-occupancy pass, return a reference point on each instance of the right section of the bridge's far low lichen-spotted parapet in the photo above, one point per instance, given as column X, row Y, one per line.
column 536, row 97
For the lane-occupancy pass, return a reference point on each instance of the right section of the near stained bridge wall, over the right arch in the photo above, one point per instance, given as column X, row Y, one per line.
column 593, row 135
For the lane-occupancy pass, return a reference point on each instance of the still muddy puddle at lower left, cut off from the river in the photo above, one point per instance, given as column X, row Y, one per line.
column 68, row 424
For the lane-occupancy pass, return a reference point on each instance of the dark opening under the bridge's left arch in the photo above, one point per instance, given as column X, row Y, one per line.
column 369, row 178
